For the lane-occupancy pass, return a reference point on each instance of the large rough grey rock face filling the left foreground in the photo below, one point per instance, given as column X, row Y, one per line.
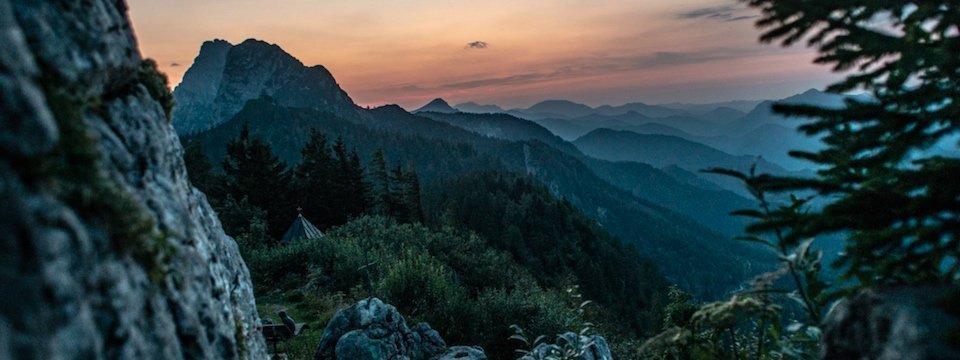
column 106, row 251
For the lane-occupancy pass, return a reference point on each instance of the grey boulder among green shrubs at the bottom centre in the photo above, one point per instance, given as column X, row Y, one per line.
column 373, row 330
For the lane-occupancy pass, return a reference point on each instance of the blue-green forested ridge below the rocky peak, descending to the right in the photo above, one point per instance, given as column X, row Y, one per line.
column 438, row 150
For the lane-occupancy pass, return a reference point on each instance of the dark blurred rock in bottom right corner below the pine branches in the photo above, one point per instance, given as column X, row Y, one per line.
column 902, row 324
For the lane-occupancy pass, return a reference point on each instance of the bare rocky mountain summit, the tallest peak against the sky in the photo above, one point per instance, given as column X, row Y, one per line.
column 224, row 77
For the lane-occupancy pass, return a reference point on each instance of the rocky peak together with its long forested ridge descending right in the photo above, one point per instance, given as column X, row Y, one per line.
column 671, row 216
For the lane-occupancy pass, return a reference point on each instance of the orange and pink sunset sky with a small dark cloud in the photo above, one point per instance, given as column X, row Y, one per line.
column 511, row 53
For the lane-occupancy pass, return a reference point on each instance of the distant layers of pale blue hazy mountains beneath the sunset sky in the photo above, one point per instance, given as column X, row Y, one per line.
column 740, row 128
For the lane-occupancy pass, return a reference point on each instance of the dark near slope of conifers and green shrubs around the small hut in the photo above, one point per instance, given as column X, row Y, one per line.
column 459, row 267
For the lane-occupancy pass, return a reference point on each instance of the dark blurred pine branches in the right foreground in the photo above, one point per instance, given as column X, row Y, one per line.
column 886, row 184
